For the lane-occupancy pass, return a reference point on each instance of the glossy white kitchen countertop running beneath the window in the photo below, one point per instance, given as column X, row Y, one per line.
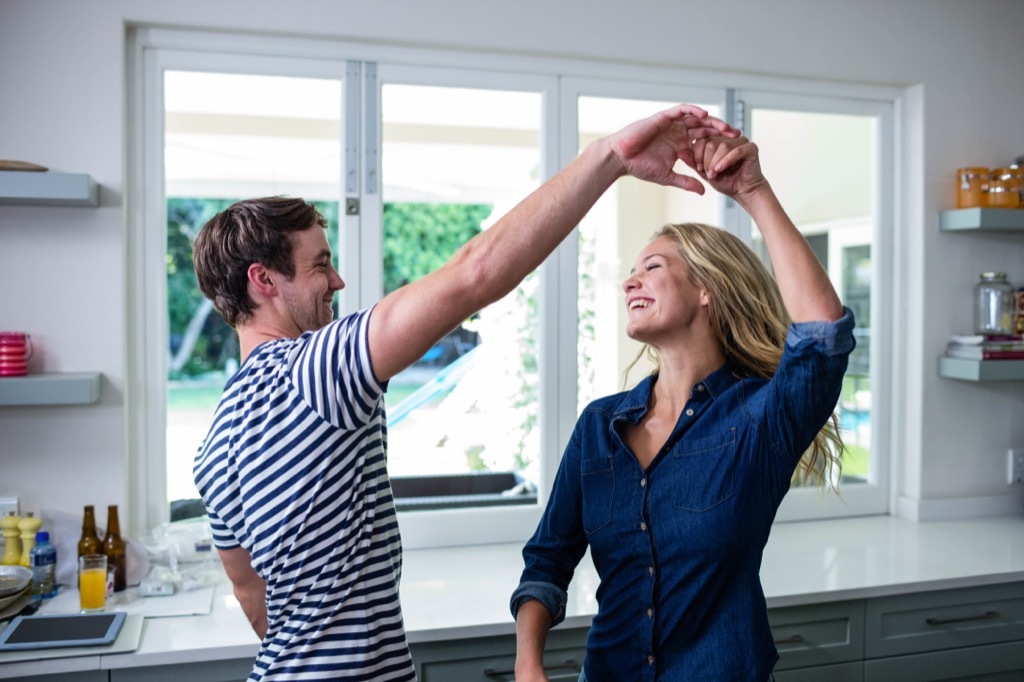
column 459, row 593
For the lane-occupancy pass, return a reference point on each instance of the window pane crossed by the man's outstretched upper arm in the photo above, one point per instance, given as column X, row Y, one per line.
column 454, row 161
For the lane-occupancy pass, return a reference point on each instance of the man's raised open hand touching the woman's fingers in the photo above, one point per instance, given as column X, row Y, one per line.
column 649, row 150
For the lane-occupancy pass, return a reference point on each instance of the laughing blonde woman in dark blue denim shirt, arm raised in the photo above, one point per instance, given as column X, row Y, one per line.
column 675, row 484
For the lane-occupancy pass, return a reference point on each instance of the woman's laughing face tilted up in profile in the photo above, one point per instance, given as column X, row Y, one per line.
column 661, row 300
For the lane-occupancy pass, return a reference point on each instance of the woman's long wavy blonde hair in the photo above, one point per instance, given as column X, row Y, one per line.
column 750, row 322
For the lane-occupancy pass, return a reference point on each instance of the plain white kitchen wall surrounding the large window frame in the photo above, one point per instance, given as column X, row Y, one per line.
column 63, row 103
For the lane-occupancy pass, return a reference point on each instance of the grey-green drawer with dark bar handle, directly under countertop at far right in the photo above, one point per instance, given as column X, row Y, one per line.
column 946, row 620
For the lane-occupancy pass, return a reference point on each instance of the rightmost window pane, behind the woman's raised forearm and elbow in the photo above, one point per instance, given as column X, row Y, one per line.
column 823, row 167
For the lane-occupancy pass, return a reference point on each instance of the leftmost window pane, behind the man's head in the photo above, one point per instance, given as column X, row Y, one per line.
column 228, row 138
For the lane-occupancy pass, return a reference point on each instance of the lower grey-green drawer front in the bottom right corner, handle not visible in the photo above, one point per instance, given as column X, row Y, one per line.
column 995, row 663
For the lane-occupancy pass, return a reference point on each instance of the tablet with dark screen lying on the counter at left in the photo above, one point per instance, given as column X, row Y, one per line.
column 48, row 632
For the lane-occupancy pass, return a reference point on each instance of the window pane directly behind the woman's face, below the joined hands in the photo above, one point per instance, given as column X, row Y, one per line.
column 611, row 237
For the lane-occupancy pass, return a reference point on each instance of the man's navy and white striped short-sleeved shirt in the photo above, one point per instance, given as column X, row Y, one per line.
column 294, row 471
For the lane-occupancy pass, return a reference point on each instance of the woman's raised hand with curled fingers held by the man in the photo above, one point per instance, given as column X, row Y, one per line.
column 731, row 165
